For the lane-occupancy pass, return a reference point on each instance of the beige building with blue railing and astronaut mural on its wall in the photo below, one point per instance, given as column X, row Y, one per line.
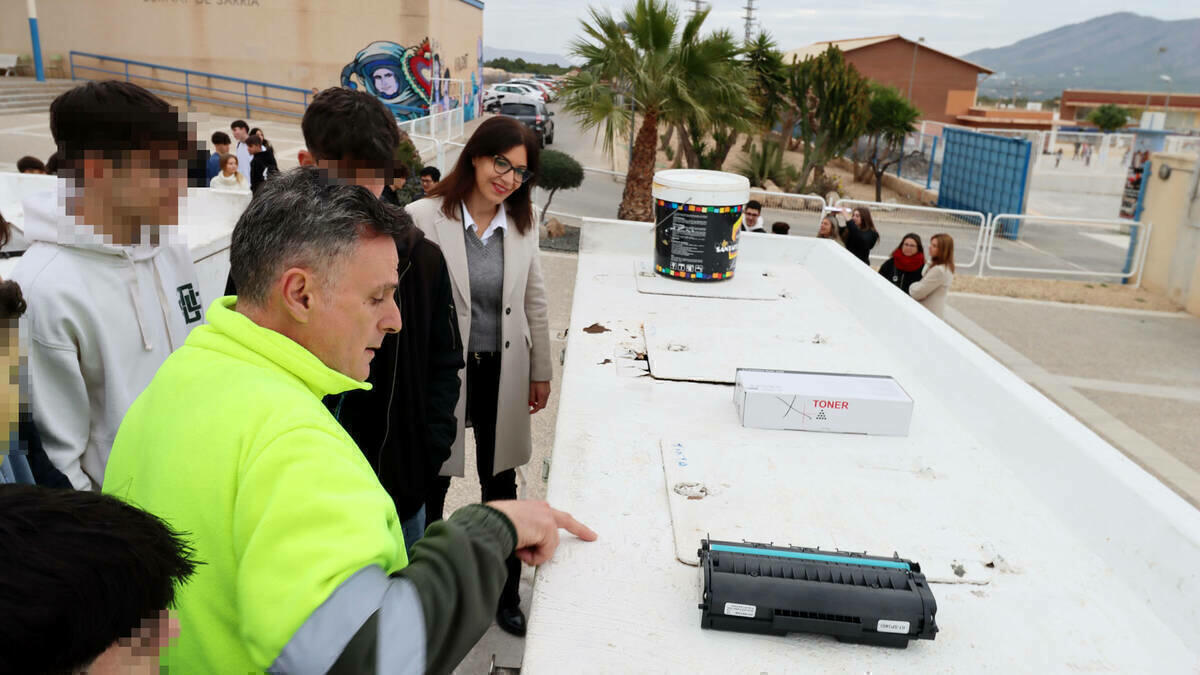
column 403, row 51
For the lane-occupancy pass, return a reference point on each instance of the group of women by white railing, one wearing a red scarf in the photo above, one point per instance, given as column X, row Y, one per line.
column 927, row 280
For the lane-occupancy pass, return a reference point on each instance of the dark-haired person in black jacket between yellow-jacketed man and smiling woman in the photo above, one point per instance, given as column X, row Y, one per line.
column 405, row 425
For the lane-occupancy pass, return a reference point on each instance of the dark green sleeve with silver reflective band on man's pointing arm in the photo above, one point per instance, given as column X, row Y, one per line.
column 425, row 618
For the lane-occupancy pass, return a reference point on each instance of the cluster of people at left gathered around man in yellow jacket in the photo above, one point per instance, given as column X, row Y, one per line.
column 274, row 470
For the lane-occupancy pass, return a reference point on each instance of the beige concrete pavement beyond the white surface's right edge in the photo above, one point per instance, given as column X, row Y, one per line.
column 1132, row 377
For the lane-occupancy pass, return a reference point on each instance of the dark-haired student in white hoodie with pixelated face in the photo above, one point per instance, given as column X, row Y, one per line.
column 110, row 291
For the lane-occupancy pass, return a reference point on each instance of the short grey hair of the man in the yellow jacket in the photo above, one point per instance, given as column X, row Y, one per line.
column 303, row 219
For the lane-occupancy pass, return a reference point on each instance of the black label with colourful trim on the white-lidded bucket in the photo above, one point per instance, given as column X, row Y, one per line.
column 697, row 243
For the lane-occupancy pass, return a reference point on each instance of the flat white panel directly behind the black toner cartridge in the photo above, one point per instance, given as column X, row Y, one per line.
column 824, row 493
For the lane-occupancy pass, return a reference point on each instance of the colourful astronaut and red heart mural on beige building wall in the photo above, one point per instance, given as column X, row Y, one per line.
column 407, row 80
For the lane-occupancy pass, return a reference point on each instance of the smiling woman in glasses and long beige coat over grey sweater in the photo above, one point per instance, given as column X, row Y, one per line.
column 482, row 217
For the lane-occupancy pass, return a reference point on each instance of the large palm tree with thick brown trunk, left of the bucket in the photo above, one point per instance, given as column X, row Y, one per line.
column 658, row 62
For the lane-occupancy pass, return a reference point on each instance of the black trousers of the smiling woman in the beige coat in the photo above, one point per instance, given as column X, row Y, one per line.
column 483, row 395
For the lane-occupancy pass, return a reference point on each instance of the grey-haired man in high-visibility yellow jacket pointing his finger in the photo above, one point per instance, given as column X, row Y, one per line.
column 303, row 559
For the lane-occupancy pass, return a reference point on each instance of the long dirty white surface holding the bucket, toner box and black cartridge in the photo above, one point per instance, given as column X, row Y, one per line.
column 1097, row 566
